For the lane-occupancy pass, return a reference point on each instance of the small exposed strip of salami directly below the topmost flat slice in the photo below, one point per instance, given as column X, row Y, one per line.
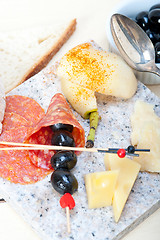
column 13, row 120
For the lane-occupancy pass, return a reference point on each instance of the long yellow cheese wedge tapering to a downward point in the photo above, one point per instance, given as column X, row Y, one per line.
column 128, row 171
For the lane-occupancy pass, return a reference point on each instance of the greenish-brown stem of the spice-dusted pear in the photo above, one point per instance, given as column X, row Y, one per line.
column 94, row 118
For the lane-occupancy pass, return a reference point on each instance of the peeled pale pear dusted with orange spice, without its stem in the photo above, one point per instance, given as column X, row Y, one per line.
column 97, row 71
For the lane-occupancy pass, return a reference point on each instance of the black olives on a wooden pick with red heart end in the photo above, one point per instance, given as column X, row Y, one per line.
column 62, row 180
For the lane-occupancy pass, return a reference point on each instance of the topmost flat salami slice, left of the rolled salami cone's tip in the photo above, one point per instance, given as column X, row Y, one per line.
column 25, row 107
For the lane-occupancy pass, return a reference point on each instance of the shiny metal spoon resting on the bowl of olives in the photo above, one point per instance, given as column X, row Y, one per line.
column 134, row 45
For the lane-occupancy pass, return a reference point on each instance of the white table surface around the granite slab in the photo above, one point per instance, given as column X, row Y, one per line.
column 91, row 17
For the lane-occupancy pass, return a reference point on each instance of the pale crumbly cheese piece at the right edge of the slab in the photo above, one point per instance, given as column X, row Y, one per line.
column 146, row 134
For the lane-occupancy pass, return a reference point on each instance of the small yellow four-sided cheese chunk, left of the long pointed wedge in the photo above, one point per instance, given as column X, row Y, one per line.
column 100, row 188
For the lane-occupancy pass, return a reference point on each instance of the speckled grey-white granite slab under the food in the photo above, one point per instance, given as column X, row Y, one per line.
column 38, row 203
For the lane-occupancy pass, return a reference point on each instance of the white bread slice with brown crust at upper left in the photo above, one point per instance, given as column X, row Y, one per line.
column 23, row 53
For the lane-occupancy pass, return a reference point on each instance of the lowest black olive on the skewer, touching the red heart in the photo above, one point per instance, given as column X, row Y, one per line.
column 64, row 181
